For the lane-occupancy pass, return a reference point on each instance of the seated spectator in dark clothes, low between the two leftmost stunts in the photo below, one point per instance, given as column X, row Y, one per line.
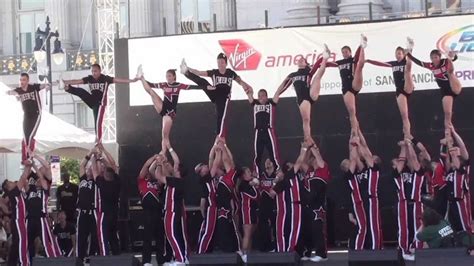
column 66, row 235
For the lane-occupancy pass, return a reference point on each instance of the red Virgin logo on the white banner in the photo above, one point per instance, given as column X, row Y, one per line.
column 242, row 56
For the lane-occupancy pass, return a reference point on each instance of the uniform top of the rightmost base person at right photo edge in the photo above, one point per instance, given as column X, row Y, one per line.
column 457, row 181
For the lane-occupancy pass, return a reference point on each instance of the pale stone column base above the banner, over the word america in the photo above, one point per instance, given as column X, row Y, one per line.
column 305, row 12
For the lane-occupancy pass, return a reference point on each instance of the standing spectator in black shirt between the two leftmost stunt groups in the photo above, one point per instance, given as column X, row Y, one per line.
column 66, row 196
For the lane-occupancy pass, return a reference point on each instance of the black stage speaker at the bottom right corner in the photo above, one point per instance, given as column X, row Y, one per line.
column 437, row 257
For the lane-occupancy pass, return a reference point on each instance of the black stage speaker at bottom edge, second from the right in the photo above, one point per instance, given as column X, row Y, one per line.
column 386, row 257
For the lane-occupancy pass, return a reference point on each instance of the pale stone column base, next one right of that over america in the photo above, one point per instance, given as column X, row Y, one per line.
column 349, row 8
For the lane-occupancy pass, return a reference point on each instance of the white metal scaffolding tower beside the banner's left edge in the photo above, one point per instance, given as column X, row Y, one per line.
column 108, row 18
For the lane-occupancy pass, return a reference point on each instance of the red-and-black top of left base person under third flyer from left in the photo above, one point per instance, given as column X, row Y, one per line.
column 150, row 191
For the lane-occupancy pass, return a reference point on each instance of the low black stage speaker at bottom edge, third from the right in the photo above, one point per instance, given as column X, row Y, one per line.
column 272, row 258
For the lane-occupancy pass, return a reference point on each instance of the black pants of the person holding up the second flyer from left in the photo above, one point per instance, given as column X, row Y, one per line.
column 86, row 226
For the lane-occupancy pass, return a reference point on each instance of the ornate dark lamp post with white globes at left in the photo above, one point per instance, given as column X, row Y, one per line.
column 40, row 54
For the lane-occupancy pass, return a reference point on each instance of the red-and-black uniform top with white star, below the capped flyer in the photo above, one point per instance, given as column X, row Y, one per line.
column 225, row 195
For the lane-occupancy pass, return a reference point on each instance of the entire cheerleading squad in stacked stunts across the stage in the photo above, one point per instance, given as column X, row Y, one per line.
column 282, row 203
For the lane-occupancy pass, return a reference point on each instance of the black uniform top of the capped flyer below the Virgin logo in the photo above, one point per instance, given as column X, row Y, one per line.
column 222, row 83
